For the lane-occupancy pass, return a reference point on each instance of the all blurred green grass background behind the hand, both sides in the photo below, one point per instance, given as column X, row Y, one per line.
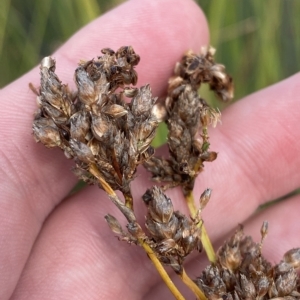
column 258, row 41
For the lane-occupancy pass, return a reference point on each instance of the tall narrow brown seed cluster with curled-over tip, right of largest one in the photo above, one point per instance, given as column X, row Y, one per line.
column 186, row 115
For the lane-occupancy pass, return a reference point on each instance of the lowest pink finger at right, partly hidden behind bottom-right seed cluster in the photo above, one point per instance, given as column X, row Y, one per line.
column 283, row 235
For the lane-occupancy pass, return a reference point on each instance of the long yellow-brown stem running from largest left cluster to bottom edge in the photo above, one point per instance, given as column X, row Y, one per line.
column 128, row 213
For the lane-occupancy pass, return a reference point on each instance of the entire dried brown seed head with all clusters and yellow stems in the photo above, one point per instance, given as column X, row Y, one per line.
column 107, row 127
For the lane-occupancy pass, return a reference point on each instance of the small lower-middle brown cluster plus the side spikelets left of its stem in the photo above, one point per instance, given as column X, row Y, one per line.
column 171, row 235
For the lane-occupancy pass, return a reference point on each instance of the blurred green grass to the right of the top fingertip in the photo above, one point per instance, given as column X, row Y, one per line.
column 261, row 37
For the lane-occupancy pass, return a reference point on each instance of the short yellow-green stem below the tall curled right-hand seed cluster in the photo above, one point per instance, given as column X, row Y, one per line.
column 207, row 245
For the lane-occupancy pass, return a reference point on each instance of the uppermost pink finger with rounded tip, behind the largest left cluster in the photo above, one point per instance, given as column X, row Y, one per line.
column 34, row 179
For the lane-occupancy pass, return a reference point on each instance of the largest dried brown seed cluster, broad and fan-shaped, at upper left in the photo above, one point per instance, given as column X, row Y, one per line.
column 95, row 125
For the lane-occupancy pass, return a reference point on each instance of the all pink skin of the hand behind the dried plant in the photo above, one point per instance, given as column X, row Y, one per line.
column 53, row 247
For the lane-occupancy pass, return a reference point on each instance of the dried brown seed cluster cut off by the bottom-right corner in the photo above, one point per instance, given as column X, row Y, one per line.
column 241, row 272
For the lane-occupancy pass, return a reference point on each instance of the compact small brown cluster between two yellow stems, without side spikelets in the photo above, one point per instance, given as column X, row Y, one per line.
column 173, row 235
